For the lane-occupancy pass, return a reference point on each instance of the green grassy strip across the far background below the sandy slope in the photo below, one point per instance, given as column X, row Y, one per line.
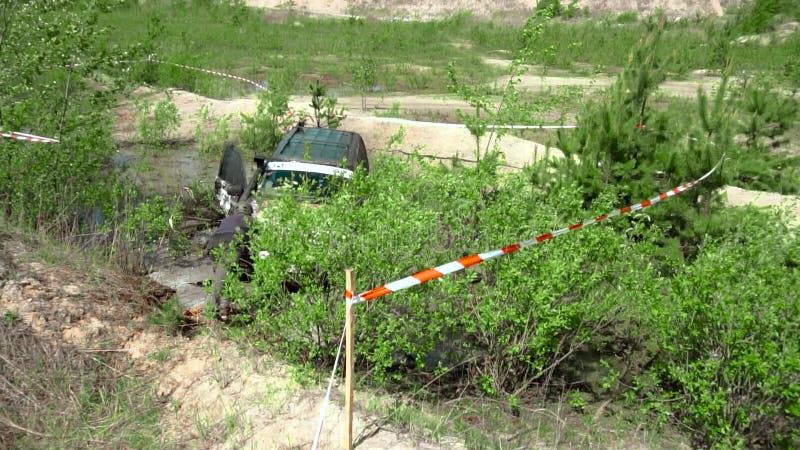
column 280, row 45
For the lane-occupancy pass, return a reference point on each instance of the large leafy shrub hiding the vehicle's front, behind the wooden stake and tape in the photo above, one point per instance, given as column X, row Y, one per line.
column 470, row 316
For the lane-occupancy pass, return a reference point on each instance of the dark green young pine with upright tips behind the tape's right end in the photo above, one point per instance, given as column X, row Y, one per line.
column 624, row 141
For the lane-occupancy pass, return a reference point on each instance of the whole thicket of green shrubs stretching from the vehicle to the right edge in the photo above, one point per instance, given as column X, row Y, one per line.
column 672, row 326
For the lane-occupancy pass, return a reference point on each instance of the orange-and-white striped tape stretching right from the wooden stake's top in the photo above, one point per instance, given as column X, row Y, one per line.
column 467, row 261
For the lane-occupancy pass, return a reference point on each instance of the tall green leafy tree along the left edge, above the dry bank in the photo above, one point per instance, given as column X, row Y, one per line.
column 49, row 185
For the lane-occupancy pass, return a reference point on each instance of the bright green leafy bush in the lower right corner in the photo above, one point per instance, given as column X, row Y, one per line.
column 731, row 352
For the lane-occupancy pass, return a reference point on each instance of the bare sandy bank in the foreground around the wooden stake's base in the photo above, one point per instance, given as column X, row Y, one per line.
column 218, row 397
